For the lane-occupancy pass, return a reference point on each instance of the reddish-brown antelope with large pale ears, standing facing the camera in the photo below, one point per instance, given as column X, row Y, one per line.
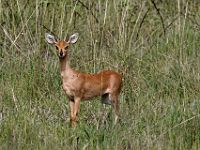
column 82, row 86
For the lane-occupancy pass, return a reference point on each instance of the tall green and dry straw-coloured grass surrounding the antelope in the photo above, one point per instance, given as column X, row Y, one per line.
column 155, row 44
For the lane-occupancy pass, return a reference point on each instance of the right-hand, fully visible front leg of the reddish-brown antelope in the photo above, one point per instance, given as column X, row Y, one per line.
column 76, row 105
